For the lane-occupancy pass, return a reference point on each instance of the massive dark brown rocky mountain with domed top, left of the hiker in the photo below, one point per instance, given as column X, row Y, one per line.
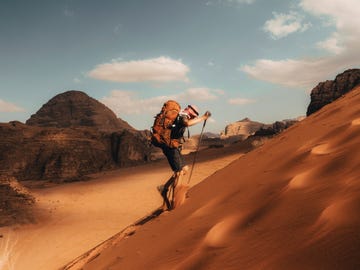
column 69, row 137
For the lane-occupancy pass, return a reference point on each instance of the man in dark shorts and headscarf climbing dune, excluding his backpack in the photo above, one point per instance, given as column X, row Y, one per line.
column 172, row 151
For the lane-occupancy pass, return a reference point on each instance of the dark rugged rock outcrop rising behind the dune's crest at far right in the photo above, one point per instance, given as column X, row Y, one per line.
column 326, row 92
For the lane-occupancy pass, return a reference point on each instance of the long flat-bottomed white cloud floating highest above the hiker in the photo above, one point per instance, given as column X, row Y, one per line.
column 161, row 69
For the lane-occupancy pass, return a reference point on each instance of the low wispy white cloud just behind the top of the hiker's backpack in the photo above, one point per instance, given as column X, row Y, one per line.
column 127, row 103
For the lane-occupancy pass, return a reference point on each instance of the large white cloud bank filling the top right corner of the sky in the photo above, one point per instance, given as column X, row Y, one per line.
column 343, row 46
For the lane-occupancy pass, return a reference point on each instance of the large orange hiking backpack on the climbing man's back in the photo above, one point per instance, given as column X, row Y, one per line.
column 163, row 123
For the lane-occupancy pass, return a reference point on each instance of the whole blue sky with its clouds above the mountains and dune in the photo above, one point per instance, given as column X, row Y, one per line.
column 236, row 58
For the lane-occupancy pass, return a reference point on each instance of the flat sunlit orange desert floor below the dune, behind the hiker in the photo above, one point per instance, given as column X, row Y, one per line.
column 75, row 217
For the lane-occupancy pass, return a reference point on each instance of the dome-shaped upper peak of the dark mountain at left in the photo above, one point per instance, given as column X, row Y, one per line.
column 74, row 109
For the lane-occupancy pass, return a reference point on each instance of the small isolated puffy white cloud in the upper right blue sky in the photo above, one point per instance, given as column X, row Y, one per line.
column 285, row 24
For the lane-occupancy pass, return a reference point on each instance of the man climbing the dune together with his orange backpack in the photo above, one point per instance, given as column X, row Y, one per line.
column 168, row 133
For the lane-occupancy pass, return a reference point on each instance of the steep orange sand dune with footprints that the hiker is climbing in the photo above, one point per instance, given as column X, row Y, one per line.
column 291, row 204
